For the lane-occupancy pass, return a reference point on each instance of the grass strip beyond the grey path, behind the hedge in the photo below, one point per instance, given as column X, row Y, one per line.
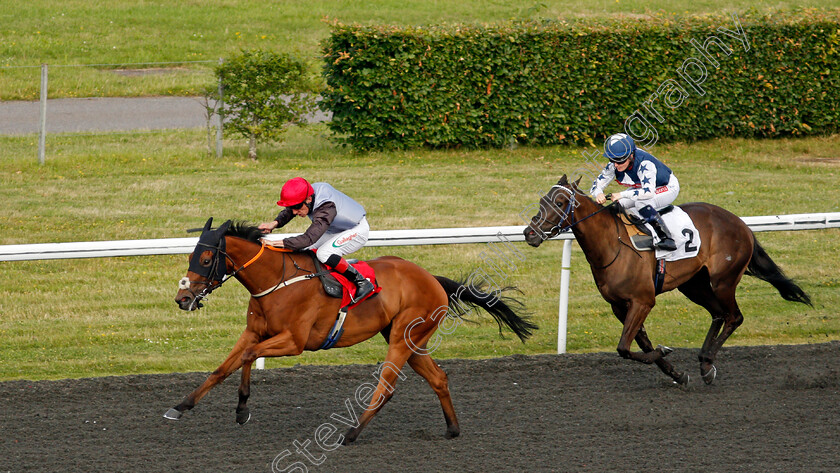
column 99, row 35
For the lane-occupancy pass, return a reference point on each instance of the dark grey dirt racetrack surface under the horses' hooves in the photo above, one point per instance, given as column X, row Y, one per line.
column 770, row 409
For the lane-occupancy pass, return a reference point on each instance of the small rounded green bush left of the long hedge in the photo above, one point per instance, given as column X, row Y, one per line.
column 264, row 93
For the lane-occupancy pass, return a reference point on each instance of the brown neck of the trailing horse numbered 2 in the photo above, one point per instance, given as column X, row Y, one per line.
column 595, row 233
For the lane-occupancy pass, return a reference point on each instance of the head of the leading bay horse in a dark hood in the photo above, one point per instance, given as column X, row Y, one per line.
column 207, row 269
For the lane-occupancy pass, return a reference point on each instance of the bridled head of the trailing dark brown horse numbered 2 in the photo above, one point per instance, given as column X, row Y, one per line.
column 557, row 208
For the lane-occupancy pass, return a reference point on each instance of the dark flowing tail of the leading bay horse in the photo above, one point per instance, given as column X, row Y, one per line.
column 505, row 310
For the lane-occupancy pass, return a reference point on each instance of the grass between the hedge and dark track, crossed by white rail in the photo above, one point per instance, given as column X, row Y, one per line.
column 111, row 316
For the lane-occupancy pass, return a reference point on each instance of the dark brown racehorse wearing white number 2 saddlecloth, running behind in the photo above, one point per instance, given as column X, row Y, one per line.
column 625, row 277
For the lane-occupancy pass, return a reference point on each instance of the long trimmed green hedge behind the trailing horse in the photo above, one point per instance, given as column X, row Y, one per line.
column 575, row 82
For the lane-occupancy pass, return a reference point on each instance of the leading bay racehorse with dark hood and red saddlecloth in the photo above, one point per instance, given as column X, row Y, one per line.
column 289, row 312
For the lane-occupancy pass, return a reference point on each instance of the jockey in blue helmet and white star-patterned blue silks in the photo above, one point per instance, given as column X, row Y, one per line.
column 651, row 185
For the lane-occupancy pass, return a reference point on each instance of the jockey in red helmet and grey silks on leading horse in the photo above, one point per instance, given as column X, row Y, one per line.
column 339, row 226
